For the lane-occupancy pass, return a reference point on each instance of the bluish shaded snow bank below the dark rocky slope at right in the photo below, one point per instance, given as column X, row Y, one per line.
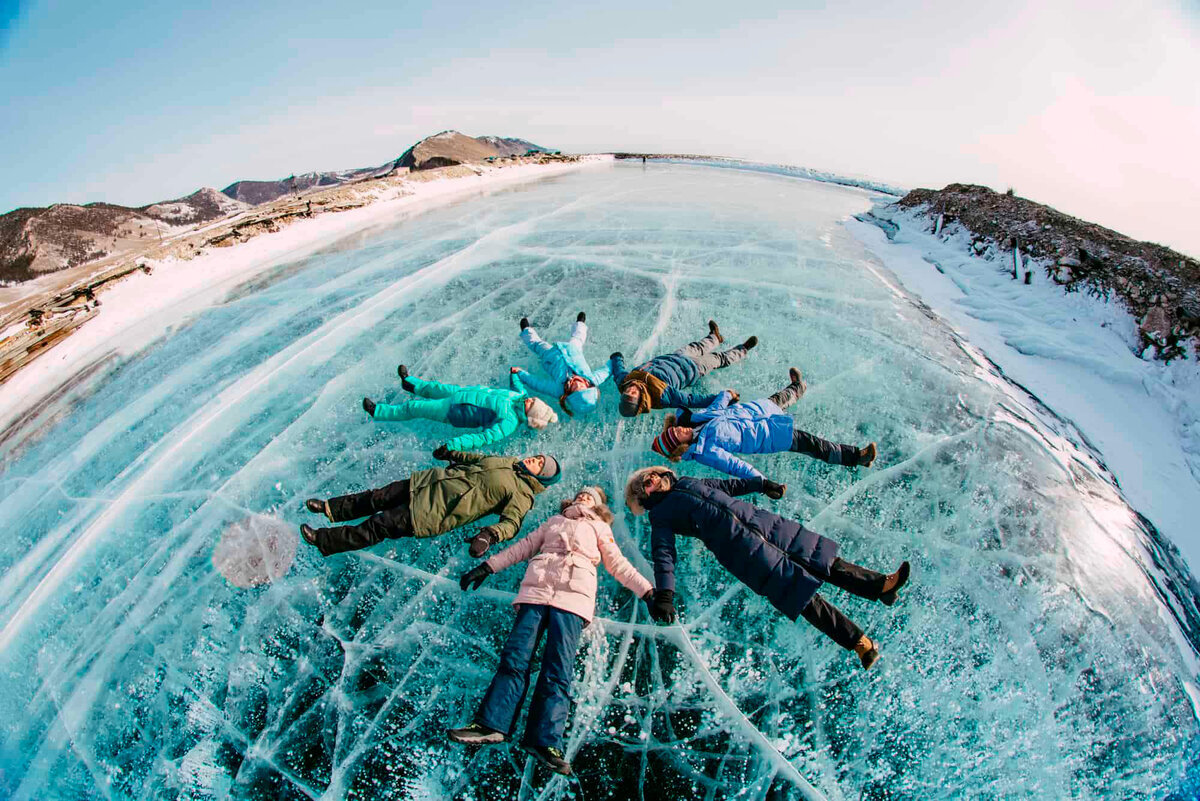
column 1076, row 354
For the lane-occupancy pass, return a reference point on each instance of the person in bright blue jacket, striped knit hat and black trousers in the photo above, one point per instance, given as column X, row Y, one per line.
column 725, row 427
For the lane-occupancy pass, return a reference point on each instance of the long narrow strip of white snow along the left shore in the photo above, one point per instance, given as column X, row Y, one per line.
column 142, row 308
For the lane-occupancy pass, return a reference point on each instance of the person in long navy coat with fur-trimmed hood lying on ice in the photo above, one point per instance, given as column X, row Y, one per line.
column 777, row 558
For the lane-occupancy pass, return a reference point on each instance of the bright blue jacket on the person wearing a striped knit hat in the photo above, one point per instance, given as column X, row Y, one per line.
column 753, row 427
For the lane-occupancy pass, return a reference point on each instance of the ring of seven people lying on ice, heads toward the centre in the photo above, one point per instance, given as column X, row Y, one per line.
column 773, row 556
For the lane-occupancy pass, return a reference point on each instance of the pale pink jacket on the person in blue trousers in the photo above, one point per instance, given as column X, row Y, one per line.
column 565, row 552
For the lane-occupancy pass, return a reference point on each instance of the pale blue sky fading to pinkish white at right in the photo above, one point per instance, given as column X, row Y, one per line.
column 1091, row 107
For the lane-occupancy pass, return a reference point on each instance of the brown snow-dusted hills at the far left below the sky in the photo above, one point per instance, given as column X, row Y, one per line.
column 39, row 240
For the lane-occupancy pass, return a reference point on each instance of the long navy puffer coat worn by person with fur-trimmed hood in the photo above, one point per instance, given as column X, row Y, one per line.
column 770, row 555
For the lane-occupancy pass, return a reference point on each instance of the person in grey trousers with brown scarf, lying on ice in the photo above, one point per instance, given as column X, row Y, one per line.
column 657, row 384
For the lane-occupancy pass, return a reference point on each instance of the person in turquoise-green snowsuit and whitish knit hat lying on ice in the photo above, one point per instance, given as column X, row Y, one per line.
column 497, row 413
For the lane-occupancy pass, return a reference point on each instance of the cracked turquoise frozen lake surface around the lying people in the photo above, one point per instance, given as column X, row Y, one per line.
column 1036, row 654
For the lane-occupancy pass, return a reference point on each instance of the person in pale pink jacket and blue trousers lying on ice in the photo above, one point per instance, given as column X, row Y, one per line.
column 557, row 598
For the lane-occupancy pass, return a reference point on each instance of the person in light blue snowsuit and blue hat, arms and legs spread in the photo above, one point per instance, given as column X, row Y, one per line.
column 572, row 381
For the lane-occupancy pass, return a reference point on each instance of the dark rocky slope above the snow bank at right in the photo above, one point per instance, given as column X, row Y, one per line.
column 1160, row 286
